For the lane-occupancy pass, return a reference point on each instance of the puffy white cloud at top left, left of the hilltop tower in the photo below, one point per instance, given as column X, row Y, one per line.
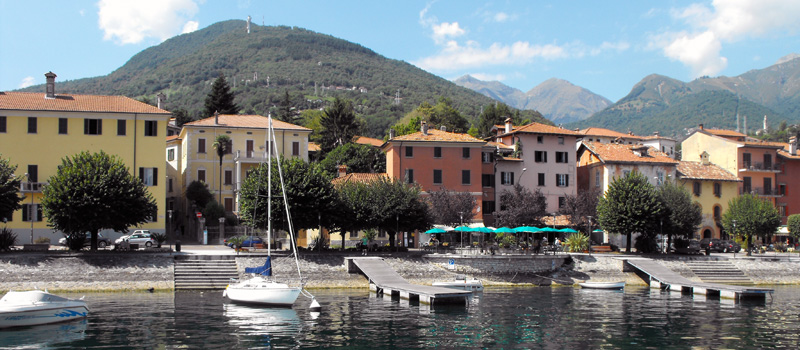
column 130, row 22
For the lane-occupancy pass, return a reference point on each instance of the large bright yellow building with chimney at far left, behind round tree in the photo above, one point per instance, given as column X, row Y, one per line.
column 38, row 130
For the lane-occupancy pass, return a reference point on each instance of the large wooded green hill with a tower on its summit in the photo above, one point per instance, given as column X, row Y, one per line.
column 271, row 60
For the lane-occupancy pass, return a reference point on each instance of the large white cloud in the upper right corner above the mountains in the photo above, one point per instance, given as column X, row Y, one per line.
column 725, row 22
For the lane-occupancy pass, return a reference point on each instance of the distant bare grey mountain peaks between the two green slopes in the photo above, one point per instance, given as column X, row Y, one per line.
column 558, row 100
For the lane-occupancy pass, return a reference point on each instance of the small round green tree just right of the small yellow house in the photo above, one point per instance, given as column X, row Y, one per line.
column 753, row 216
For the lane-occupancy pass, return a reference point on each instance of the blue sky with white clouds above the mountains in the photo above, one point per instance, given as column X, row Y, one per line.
column 603, row 46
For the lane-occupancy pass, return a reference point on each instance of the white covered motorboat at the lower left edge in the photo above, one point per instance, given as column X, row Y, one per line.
column 35, row 307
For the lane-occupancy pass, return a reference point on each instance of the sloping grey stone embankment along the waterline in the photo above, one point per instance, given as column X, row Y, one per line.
column 134, row 271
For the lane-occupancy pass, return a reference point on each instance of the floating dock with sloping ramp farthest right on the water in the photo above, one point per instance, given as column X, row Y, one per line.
column 664, row 278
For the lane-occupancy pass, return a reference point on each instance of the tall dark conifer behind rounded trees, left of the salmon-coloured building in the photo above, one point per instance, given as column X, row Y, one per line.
column 339, row 125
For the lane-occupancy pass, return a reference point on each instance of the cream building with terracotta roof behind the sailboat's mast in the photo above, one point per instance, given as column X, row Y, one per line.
column 191, row 156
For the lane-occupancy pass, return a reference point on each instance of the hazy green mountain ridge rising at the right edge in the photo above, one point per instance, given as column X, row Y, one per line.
column 659, row 103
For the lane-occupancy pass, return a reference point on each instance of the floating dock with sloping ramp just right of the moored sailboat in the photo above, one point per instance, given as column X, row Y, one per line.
column 385, row 280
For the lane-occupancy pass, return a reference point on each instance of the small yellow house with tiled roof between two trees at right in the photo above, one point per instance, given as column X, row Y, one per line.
column 712, row 187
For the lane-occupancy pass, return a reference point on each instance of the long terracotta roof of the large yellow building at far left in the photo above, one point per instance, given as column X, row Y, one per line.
column 35, row 101
